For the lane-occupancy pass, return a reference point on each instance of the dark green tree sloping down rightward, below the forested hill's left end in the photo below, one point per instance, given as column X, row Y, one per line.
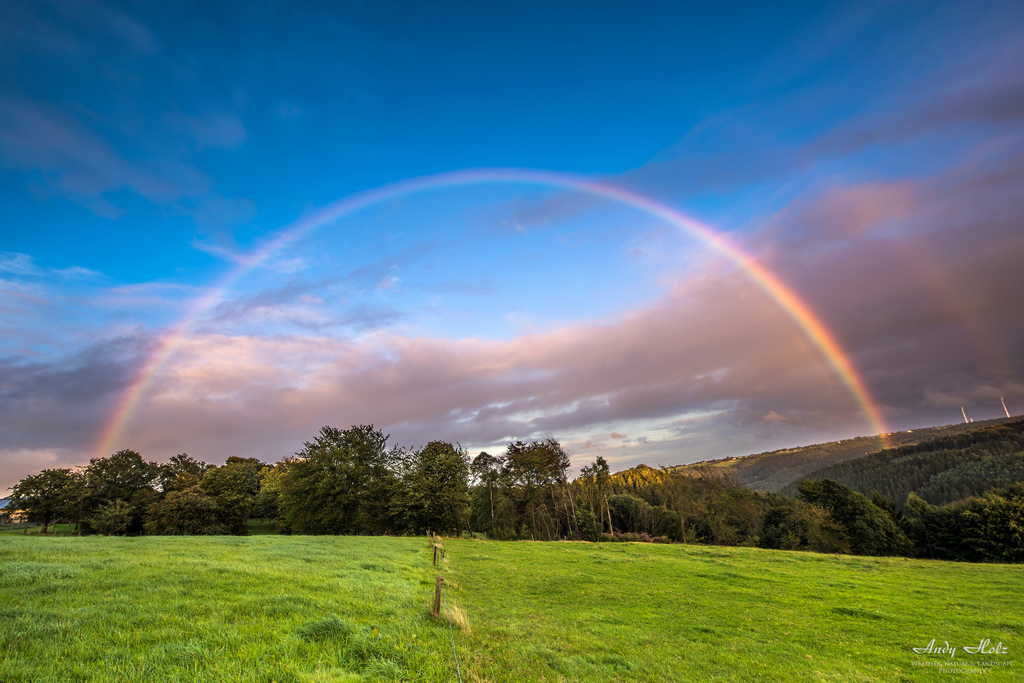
column 868, row 529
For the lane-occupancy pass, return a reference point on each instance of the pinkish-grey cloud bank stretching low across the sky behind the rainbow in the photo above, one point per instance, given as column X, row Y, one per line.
column 710, row 369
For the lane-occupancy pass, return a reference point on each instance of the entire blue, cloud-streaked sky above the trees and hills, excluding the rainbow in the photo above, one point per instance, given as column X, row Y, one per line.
column 867, row 153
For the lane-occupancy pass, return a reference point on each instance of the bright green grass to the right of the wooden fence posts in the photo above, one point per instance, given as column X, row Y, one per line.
column 651, row 613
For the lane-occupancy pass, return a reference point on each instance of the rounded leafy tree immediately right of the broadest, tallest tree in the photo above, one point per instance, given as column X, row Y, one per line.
column 436, row 495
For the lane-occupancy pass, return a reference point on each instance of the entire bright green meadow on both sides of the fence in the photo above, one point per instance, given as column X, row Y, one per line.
column 305, row 609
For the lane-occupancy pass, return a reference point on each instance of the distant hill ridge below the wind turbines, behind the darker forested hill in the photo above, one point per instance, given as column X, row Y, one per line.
column 776, row 471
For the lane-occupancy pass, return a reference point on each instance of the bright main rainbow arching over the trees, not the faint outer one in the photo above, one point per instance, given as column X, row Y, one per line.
column 776, row 289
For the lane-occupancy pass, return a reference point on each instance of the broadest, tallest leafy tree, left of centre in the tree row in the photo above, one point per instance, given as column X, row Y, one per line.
column 342, row 483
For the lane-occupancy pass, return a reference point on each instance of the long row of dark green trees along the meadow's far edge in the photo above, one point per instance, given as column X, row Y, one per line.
column 353, row 483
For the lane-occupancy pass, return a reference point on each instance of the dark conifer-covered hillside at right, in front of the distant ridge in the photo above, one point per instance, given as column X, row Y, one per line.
column 941, row 472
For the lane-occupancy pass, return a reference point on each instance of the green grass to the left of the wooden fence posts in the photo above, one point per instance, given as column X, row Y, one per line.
column 219, row 609
